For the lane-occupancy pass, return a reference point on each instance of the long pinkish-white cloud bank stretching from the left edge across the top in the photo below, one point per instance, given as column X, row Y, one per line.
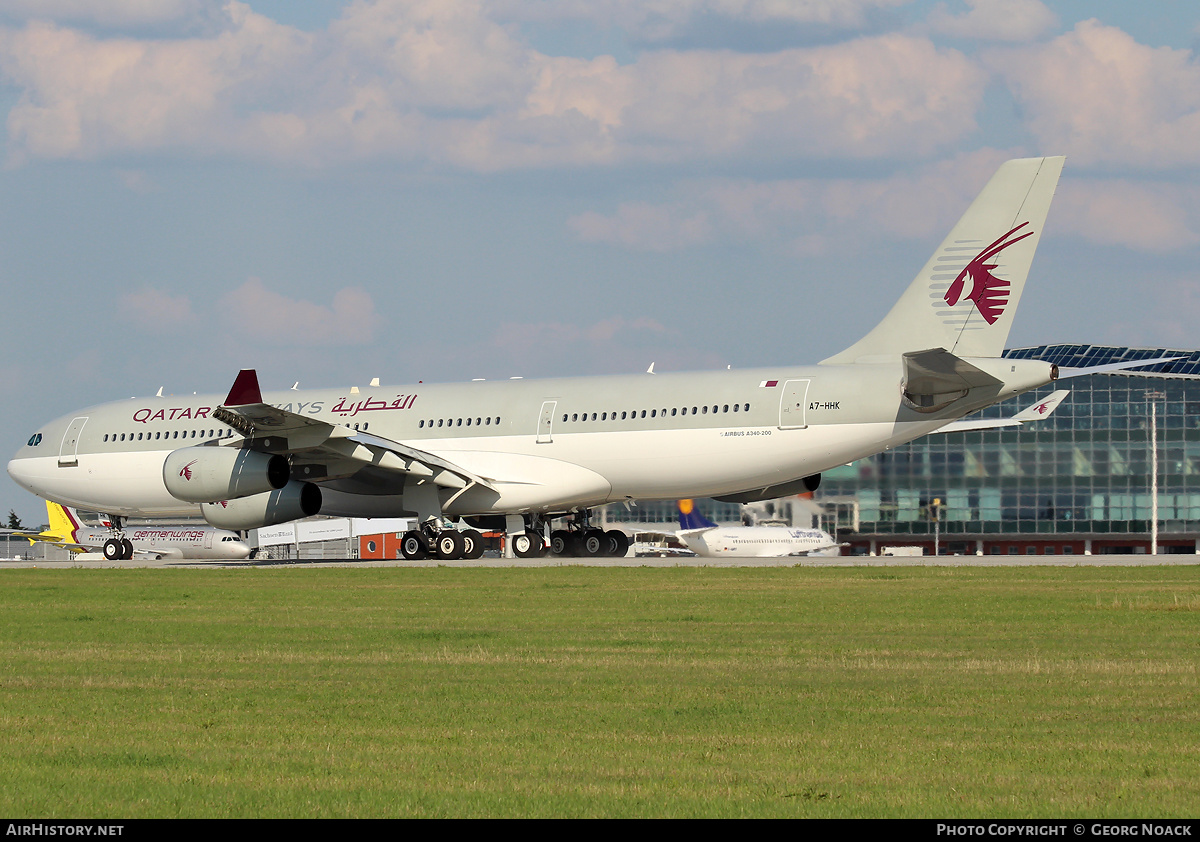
column 441, row 82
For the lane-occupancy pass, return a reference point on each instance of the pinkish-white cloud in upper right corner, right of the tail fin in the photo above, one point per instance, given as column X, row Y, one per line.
column 1100, row 97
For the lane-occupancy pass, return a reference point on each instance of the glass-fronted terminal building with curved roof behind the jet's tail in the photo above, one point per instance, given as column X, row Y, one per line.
column 1079, row 483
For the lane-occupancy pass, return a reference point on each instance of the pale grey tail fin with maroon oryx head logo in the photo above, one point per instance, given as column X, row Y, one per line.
column 965, row 298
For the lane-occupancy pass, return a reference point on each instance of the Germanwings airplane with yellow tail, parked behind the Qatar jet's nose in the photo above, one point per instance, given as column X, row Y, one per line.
column 161, row 542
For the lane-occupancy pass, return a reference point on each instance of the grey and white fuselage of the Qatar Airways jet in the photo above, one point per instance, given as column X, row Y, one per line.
column 544, row 447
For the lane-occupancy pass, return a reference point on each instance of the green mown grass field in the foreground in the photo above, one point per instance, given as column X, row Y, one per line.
column 577, row 691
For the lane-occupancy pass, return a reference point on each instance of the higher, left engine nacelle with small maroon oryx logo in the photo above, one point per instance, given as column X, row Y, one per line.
column 208, row 474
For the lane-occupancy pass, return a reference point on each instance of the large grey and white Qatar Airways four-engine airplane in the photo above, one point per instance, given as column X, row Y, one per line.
column 517, row 454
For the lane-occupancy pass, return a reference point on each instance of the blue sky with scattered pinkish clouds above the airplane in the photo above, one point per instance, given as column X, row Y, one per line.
column 446, row 190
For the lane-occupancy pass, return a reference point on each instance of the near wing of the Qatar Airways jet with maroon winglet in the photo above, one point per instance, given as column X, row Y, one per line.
column 326, row 452
